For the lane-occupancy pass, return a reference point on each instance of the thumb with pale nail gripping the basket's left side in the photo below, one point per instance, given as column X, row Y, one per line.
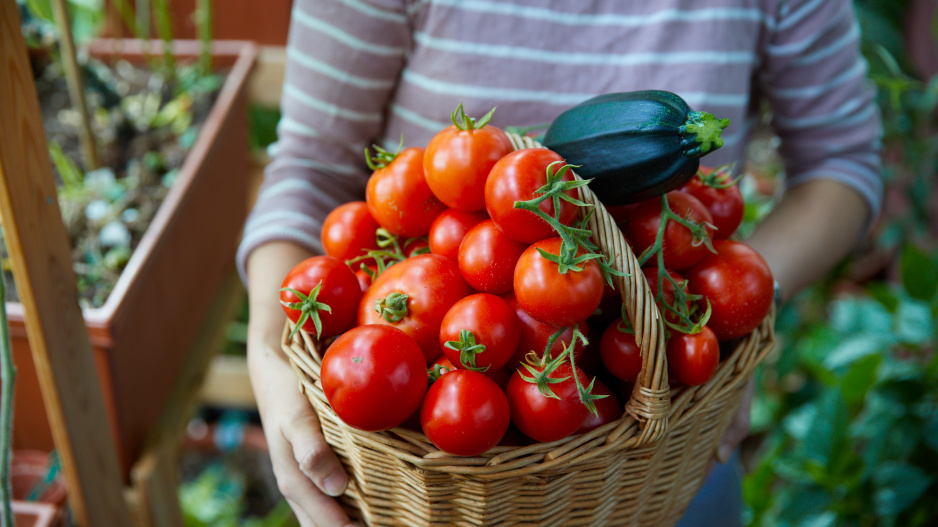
column 314, row 456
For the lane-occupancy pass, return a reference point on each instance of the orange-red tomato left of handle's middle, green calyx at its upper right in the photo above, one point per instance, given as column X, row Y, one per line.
column 554, row 298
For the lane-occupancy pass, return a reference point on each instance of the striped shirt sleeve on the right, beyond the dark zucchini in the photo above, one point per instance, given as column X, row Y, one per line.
column 823, row 106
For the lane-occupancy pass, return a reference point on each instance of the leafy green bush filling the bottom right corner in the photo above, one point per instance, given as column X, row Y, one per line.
column 853, row 433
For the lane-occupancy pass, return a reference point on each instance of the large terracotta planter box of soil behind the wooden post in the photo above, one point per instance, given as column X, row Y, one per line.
column 142, row 334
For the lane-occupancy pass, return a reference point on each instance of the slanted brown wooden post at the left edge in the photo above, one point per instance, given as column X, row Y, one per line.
column 42, row 266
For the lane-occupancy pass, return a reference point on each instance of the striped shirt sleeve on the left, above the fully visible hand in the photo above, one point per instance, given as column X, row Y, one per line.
column 343, row 61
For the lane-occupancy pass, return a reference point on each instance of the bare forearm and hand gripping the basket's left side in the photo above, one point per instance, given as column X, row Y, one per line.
column 309, row 474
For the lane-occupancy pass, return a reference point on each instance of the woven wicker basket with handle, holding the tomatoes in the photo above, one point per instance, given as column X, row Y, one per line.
column 642, row 470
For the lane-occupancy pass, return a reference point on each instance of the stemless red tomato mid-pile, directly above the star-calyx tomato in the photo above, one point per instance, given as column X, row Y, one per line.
column 487, row 258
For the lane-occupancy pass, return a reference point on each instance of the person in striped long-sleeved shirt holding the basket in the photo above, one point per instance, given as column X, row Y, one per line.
column 369, row 72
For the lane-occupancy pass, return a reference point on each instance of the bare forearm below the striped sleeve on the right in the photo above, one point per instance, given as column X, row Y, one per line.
column 811, row 229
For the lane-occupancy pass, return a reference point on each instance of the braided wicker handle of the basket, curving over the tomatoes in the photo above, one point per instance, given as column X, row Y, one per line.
column 650, row 402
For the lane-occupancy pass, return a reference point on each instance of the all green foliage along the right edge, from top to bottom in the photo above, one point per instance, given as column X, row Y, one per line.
column 846, row 410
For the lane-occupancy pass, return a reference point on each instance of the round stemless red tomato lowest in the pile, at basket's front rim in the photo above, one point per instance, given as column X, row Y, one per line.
column 465, row 413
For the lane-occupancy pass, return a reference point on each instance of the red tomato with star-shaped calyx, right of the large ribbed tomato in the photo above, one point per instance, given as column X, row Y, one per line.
column 492, row 323
